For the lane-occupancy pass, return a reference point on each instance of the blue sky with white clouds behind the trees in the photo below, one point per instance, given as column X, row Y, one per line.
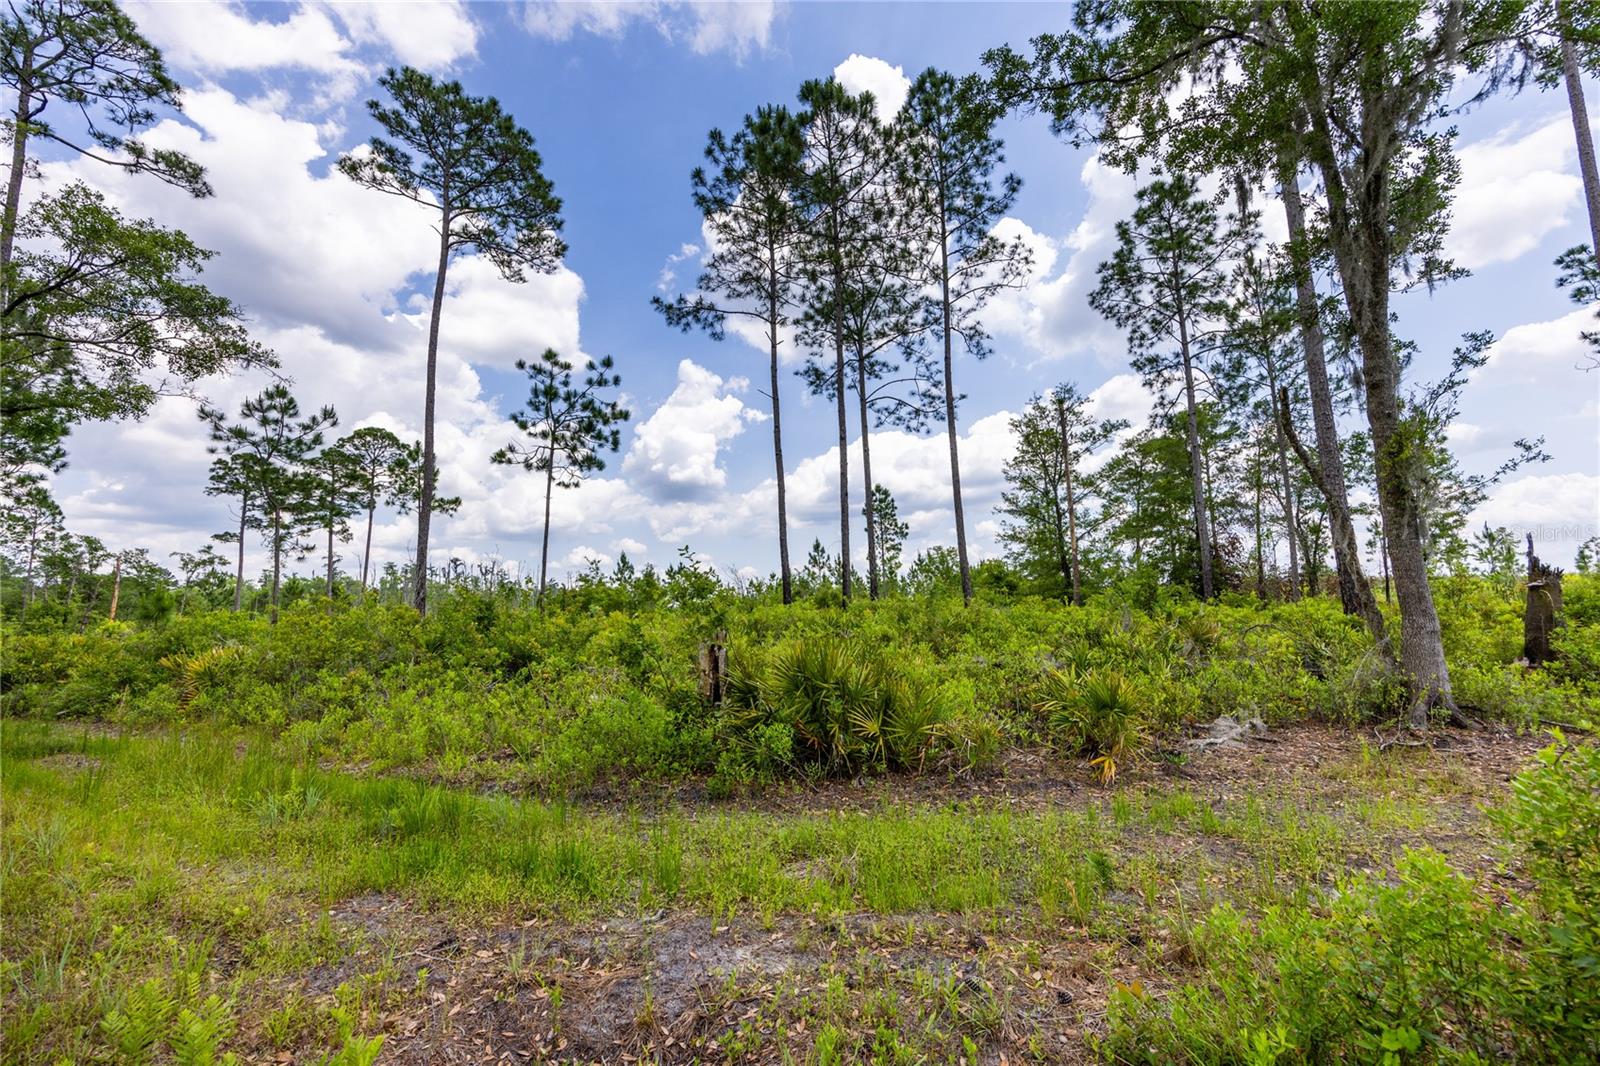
column 620, row 100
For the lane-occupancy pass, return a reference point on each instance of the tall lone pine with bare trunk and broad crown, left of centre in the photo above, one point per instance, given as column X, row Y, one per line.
column 471, row 164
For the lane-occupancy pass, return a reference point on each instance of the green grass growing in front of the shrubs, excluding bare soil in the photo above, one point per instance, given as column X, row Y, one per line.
column 158, row 856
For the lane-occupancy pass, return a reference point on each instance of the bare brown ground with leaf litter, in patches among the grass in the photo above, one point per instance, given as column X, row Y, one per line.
column 684, row 987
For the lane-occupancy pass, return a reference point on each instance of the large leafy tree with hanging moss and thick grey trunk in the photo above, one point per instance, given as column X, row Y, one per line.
column 1358, row 94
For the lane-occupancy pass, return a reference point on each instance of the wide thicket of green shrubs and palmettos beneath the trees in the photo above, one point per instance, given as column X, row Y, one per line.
column 599, row 689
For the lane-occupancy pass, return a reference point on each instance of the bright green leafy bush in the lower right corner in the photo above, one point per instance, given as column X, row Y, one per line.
column 1418, row 968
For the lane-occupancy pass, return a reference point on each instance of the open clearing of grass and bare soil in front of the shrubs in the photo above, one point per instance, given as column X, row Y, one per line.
column 902, row 920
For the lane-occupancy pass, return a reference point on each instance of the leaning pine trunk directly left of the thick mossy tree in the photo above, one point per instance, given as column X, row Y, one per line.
column 1356, row 595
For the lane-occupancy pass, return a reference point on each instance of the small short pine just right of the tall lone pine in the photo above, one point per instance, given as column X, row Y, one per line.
column 570, row 427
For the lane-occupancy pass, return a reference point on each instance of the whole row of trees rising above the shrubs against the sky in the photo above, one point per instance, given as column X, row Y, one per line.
column 870, row 244
